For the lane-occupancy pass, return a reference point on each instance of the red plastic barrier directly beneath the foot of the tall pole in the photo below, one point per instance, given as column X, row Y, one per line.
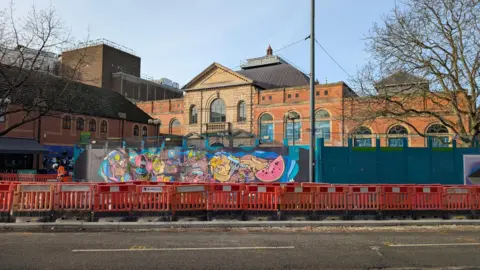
column 298, row 198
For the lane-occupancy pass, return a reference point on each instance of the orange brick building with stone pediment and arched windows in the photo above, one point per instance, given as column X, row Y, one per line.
column 269, row 99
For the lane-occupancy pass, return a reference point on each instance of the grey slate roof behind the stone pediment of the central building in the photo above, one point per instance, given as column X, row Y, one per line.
column 276, row 76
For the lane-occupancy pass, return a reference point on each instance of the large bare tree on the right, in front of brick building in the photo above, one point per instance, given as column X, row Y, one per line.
column 433, row 46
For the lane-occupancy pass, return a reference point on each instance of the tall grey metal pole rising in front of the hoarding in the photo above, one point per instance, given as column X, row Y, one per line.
column 312, row 95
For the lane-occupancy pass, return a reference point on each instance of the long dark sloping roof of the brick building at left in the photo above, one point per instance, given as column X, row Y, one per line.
column 77, row 98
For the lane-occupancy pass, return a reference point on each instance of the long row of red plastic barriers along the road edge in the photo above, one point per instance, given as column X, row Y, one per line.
column 52, row 200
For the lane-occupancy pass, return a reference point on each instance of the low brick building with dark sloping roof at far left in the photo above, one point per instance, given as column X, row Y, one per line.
column 97, row 112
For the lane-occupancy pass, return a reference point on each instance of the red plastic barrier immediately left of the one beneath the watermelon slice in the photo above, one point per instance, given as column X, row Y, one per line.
column 225, row 197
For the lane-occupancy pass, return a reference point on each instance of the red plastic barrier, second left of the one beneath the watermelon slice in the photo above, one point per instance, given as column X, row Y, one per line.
column 190, row 198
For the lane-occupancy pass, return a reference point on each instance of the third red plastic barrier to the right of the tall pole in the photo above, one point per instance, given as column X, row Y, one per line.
column 396, row 198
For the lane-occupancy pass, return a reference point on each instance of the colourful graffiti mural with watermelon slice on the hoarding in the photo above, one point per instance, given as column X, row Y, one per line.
column 162, row 165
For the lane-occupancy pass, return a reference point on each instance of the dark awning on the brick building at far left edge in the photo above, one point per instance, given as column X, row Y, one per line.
column 20, row 146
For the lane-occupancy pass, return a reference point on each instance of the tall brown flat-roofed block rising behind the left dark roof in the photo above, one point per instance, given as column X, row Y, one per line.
column 114, row 67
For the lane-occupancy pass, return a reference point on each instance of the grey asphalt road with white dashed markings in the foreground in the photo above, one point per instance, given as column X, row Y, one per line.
column 240, row 250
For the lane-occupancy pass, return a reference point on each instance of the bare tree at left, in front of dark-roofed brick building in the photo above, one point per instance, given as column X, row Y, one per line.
column 33, row 83
